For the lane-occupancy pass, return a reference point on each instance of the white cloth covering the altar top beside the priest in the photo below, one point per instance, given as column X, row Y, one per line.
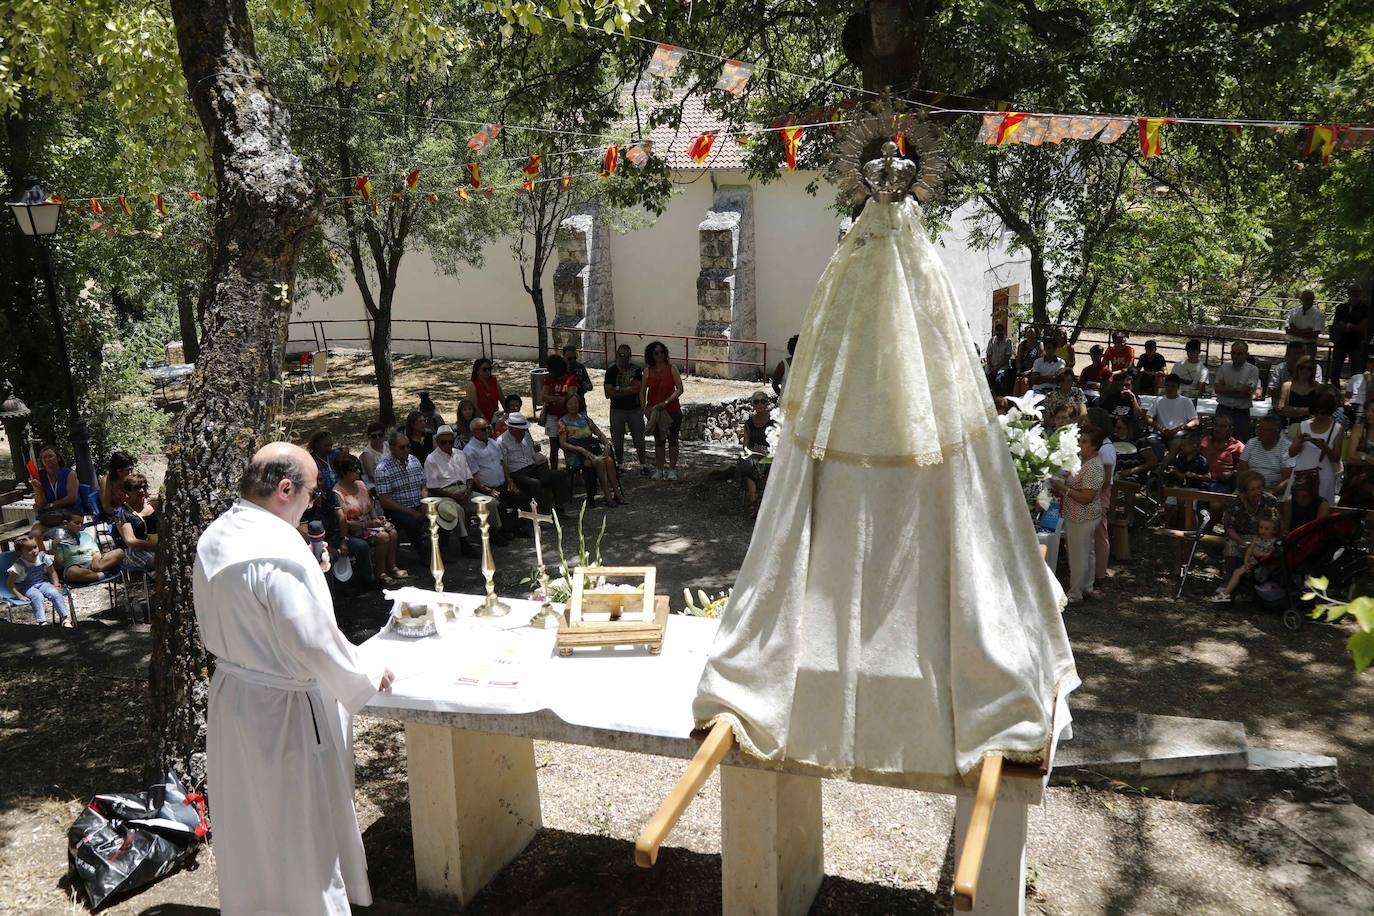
column 505, row 668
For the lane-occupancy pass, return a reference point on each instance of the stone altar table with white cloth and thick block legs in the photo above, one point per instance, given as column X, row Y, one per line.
column 476, row 697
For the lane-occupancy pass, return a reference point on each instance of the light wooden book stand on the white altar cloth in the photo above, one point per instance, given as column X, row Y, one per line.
column 618, row 628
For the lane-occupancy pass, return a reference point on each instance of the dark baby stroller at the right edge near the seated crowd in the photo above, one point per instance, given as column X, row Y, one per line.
column 1327, row 547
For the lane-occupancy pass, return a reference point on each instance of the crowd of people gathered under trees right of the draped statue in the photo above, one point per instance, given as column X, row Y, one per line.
column 1310, row 454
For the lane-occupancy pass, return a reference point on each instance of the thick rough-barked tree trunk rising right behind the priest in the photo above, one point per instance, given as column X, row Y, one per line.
column 264, row 209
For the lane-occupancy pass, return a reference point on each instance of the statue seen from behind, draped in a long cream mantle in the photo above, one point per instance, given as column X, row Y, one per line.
column 894, row 613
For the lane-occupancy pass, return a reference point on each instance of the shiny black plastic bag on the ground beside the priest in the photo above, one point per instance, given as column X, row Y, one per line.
column 126, row 841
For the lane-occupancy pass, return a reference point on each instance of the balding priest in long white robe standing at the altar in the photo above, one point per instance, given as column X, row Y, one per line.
column 286, row 685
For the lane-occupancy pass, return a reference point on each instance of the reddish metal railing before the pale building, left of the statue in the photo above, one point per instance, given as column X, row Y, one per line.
column 494, row 340
